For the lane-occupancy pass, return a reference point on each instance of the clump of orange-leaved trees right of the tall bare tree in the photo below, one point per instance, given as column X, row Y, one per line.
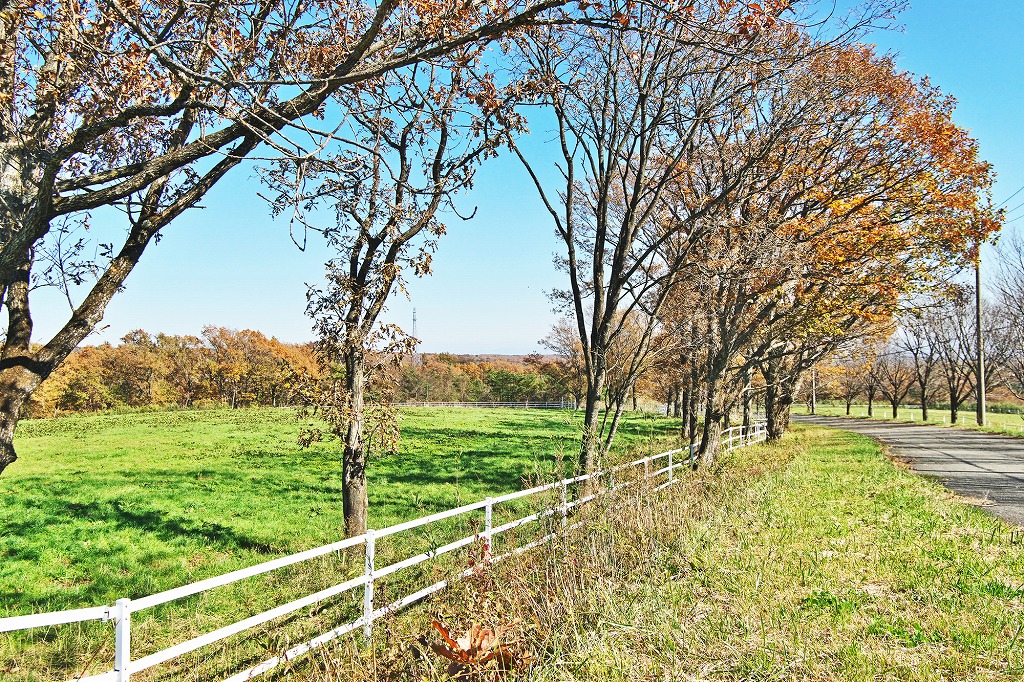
column 864, row 192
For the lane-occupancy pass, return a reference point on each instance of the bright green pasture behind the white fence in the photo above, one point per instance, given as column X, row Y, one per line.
column 102, row 507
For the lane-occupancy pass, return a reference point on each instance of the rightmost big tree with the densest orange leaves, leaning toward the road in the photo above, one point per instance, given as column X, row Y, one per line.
column 907, row 206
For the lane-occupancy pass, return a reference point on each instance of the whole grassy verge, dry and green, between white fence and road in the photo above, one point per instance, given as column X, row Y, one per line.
column 815, row 561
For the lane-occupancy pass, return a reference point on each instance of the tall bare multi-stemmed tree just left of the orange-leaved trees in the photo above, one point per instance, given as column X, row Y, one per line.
column 633, row 108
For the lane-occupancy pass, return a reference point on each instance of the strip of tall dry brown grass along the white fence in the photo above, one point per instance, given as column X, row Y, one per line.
column 560, row 600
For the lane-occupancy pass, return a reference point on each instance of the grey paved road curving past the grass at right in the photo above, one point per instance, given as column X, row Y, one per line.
column 986, row 466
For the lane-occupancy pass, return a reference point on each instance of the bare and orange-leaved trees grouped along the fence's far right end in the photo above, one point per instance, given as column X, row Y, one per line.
column 733, row 217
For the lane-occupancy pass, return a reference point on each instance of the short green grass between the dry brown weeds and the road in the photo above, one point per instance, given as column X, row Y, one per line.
column 838, row 566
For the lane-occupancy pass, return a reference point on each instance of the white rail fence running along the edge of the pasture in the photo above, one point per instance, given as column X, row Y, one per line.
column 664, row 465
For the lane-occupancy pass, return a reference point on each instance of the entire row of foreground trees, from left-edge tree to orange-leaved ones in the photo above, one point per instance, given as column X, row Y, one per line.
column 740, row 188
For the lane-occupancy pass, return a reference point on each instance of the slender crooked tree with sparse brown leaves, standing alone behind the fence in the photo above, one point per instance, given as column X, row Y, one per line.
column 413, row 141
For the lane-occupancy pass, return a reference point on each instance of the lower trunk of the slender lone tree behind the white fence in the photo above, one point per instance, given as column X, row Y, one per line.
column 355, row 499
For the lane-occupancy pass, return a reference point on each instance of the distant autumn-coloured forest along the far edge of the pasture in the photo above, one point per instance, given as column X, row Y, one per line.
column 224, row 367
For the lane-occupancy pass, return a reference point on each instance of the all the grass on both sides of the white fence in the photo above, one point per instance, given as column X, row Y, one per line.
column 817, row 560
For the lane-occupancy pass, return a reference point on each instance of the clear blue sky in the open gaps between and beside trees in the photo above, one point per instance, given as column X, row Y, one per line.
column 230, row 265
